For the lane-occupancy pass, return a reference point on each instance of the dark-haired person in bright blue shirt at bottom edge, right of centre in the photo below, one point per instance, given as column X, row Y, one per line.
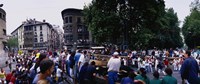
column 129, row 79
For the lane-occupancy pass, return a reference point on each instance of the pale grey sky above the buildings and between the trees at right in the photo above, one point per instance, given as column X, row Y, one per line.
column 19, row 10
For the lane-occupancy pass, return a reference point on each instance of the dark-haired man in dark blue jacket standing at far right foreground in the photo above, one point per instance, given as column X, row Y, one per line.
column 190, row 69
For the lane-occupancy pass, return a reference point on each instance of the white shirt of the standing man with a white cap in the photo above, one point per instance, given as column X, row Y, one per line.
column 114, row 64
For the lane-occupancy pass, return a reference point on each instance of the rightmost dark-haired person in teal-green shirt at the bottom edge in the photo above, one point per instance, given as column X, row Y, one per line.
column 169, row 79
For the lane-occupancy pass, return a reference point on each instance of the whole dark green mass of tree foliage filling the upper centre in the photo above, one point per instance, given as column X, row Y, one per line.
column 133, row 22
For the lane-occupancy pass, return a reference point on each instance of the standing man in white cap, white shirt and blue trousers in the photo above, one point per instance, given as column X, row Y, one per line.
column 113, row 68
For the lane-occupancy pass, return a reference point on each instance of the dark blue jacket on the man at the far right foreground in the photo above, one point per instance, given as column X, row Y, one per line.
column 189, row 70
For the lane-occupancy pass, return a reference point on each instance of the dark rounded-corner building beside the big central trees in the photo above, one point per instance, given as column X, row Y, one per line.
column 76, row 34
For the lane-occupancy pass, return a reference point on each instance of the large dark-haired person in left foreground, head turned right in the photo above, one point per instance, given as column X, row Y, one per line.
column 46, row 68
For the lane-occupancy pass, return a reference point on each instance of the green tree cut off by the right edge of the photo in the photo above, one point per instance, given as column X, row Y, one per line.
column 191, row 26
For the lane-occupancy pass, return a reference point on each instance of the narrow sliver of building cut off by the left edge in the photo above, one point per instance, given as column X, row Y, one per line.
column 2, row 29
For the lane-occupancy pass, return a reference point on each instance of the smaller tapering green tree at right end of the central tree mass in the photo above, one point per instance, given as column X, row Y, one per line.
column 168, row 35
